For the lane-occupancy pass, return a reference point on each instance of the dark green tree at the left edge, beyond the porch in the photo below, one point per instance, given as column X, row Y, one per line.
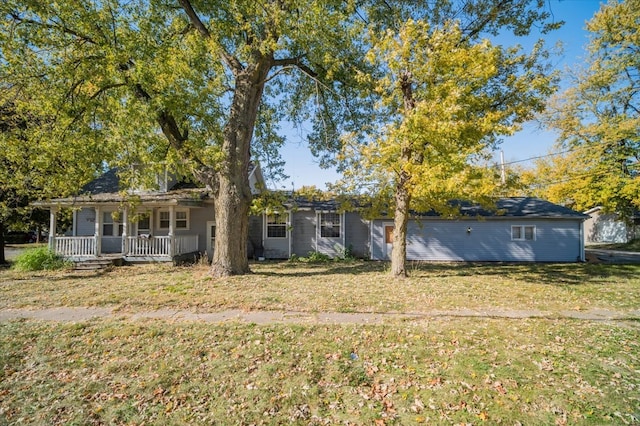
column 34, row 164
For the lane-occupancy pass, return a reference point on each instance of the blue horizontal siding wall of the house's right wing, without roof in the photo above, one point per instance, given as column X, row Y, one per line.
column 488, row 240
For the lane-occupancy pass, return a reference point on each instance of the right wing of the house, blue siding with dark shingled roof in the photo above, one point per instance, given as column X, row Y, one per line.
column 521, row 229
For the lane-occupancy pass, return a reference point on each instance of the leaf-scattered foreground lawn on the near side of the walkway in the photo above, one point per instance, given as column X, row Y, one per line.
column 462, row 371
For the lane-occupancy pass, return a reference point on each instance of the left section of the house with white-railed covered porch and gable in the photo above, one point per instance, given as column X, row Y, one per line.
column 173, row 220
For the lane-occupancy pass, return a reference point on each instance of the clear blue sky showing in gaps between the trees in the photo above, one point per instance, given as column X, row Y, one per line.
column 304, row 170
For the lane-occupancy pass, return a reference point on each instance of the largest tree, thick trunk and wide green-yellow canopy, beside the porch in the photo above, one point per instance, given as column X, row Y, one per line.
column 197, row 85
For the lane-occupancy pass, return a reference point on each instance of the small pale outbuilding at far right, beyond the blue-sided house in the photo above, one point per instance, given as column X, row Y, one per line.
column 603, row 227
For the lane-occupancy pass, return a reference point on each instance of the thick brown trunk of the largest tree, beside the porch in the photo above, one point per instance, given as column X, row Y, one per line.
column 232, row 192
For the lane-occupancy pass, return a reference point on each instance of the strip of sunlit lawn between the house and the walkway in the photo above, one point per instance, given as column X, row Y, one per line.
column 343, row 287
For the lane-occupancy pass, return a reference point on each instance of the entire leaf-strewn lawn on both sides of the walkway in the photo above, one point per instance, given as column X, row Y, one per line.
column 434, row 371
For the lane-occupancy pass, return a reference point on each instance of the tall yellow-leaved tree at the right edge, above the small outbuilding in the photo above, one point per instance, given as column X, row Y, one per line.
column 598, row 120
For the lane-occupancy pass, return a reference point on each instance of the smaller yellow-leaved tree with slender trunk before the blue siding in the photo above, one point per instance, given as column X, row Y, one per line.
column 446, row 94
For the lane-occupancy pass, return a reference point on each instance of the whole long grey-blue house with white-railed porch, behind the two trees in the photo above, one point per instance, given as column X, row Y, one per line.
column 177, row 220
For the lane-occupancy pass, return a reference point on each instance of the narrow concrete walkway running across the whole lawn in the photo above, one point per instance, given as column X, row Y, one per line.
column 66, row 314
